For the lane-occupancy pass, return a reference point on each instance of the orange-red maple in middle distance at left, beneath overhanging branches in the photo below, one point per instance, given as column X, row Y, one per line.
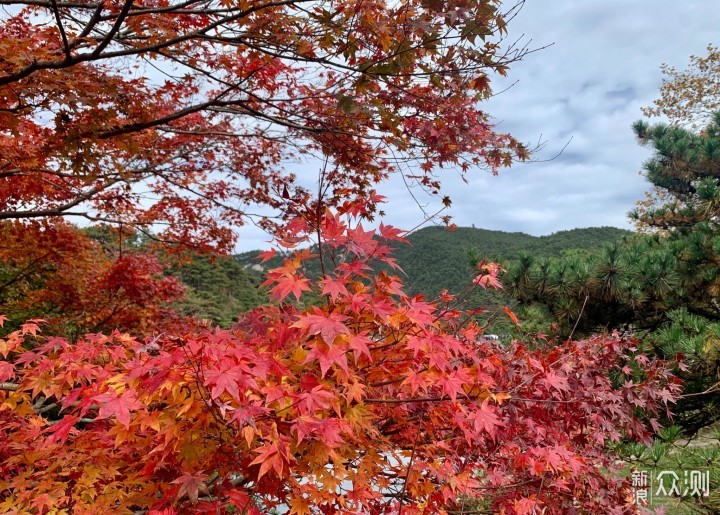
column 58, row 273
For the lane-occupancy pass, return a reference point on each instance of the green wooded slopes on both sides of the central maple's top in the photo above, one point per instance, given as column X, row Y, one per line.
column 436, row 259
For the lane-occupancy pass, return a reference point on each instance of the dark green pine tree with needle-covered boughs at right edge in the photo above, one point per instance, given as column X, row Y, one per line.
column 663, row 286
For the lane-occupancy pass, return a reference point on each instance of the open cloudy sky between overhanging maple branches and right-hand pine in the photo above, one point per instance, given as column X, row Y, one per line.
column 584, row 91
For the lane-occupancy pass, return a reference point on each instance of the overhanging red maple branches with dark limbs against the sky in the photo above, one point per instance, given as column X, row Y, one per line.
column 179, row 118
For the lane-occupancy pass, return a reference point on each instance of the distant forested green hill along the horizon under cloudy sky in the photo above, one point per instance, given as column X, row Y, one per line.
column 438, row 258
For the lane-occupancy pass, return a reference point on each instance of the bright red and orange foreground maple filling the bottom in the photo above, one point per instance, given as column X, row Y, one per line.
column 373, row 402
